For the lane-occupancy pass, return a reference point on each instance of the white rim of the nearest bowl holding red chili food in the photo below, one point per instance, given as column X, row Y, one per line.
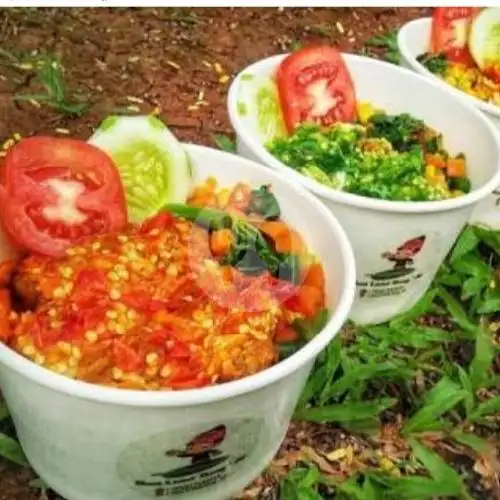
column 135, row 398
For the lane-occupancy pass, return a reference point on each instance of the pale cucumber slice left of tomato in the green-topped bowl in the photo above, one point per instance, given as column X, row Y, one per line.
column 258, row 104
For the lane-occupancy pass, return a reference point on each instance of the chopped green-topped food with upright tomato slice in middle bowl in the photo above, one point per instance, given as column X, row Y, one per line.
column 352, row 146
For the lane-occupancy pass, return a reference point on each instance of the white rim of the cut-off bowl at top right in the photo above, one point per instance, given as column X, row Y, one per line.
column 420, row 68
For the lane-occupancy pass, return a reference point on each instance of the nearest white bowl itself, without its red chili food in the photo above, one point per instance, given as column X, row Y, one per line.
column 93, row 443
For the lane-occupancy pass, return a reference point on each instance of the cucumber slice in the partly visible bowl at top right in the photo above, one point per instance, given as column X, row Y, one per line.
column 484, row 38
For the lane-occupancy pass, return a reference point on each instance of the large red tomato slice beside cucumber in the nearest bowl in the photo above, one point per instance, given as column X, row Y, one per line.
column 56, row 190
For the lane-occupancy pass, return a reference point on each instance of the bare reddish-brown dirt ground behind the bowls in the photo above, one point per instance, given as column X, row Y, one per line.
column 173, row 61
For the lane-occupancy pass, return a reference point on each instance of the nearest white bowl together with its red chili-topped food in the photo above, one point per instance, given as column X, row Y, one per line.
column 163, row 355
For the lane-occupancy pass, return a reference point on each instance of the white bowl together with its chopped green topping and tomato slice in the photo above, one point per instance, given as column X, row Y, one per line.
column 383, row 148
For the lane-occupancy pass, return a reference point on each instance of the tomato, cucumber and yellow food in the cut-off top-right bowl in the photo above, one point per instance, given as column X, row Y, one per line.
column 464, row 50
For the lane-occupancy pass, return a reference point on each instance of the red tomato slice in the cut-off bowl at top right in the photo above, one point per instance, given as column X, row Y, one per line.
column 450, row 32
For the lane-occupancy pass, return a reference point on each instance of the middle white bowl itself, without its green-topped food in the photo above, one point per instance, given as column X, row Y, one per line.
column 378, row 227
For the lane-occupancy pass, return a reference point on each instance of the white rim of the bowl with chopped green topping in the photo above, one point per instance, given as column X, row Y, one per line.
column 413, row 207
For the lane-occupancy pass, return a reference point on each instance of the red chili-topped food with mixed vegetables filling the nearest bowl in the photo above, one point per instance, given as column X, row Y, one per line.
column 206, row 291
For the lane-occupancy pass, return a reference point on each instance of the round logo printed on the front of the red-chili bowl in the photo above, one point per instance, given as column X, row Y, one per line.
column 181, row 462
